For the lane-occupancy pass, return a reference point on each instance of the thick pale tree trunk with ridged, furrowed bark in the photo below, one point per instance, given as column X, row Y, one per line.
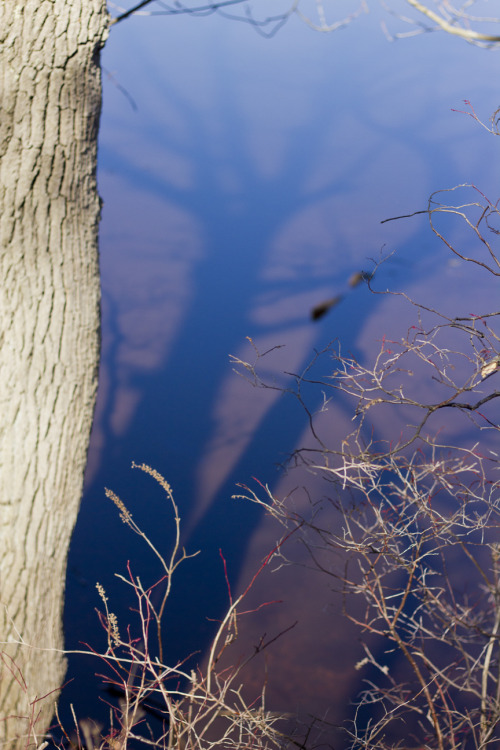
column 49, row 331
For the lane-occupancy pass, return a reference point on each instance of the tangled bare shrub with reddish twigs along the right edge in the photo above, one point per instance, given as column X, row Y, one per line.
column 416, row 538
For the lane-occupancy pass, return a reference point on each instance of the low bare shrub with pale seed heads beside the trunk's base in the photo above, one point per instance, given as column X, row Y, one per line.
column 201, row 706
